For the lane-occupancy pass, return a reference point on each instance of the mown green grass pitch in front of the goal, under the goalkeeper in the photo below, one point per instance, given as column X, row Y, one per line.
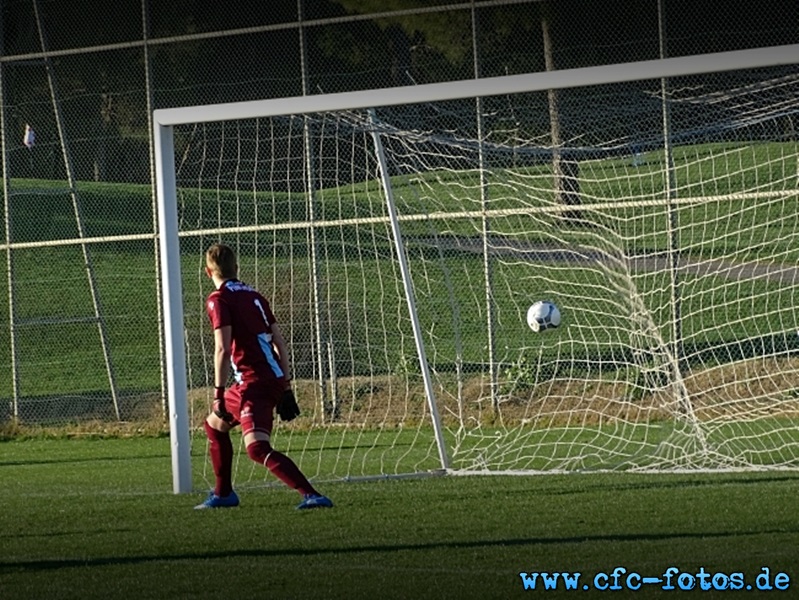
column 95, row 518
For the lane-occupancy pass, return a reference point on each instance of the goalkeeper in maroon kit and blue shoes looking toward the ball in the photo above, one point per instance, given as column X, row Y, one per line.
column 248, row 339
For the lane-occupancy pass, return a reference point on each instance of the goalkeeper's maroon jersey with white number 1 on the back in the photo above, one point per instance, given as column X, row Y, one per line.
column 250, row 317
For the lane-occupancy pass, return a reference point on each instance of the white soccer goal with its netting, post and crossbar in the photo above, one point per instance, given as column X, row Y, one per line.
column 401, row 236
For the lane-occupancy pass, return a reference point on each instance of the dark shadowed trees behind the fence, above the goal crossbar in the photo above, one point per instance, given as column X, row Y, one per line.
column 104, row 97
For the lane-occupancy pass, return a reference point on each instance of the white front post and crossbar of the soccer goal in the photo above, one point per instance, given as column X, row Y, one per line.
column 165, row 119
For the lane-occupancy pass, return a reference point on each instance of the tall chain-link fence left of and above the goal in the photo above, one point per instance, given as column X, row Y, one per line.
column 79, row 80
